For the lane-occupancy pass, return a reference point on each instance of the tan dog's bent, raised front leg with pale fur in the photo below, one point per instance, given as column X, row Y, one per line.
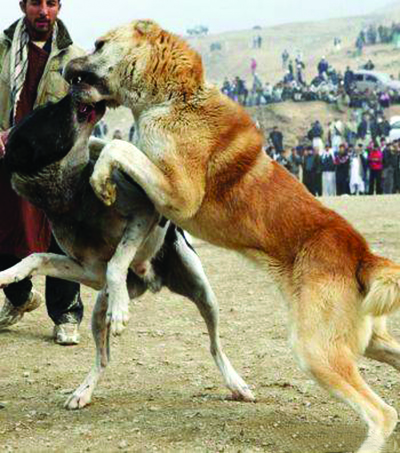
column 177, row 201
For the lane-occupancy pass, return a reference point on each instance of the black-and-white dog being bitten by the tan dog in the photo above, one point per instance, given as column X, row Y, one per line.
column 48, row 157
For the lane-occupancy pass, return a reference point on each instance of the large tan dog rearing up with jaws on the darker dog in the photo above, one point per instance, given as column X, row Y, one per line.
column 200, row 160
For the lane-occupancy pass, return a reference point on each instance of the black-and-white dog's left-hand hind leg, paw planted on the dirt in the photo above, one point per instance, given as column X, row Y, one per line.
column 101, row 334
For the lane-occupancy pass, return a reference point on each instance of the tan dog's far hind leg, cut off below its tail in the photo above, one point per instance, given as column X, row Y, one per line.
column 383, row 347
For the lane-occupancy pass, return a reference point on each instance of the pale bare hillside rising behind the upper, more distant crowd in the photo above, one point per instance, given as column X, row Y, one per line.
column 313, row 39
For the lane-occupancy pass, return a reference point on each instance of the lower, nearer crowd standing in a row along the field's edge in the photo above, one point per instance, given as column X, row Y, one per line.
column 354, row 157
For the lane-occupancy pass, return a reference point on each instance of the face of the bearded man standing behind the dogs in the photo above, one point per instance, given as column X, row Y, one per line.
column 40, row 16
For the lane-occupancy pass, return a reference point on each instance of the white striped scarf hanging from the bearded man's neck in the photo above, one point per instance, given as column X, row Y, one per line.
column 19, row 61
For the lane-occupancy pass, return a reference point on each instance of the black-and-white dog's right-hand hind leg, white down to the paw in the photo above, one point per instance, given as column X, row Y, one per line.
column 188, row 279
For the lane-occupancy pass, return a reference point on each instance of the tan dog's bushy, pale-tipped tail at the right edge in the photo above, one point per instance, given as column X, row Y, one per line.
column 381, row 278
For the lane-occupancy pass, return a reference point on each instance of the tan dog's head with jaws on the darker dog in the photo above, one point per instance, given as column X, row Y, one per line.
column 136, row 64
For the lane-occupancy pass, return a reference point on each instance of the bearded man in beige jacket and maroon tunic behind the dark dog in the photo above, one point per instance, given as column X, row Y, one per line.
column 33, row 52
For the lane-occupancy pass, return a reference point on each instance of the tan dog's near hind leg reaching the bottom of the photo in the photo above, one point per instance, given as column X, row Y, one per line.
column 325, row 343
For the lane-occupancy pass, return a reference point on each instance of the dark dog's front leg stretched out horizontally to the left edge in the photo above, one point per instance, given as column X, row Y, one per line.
column 52, row 265
